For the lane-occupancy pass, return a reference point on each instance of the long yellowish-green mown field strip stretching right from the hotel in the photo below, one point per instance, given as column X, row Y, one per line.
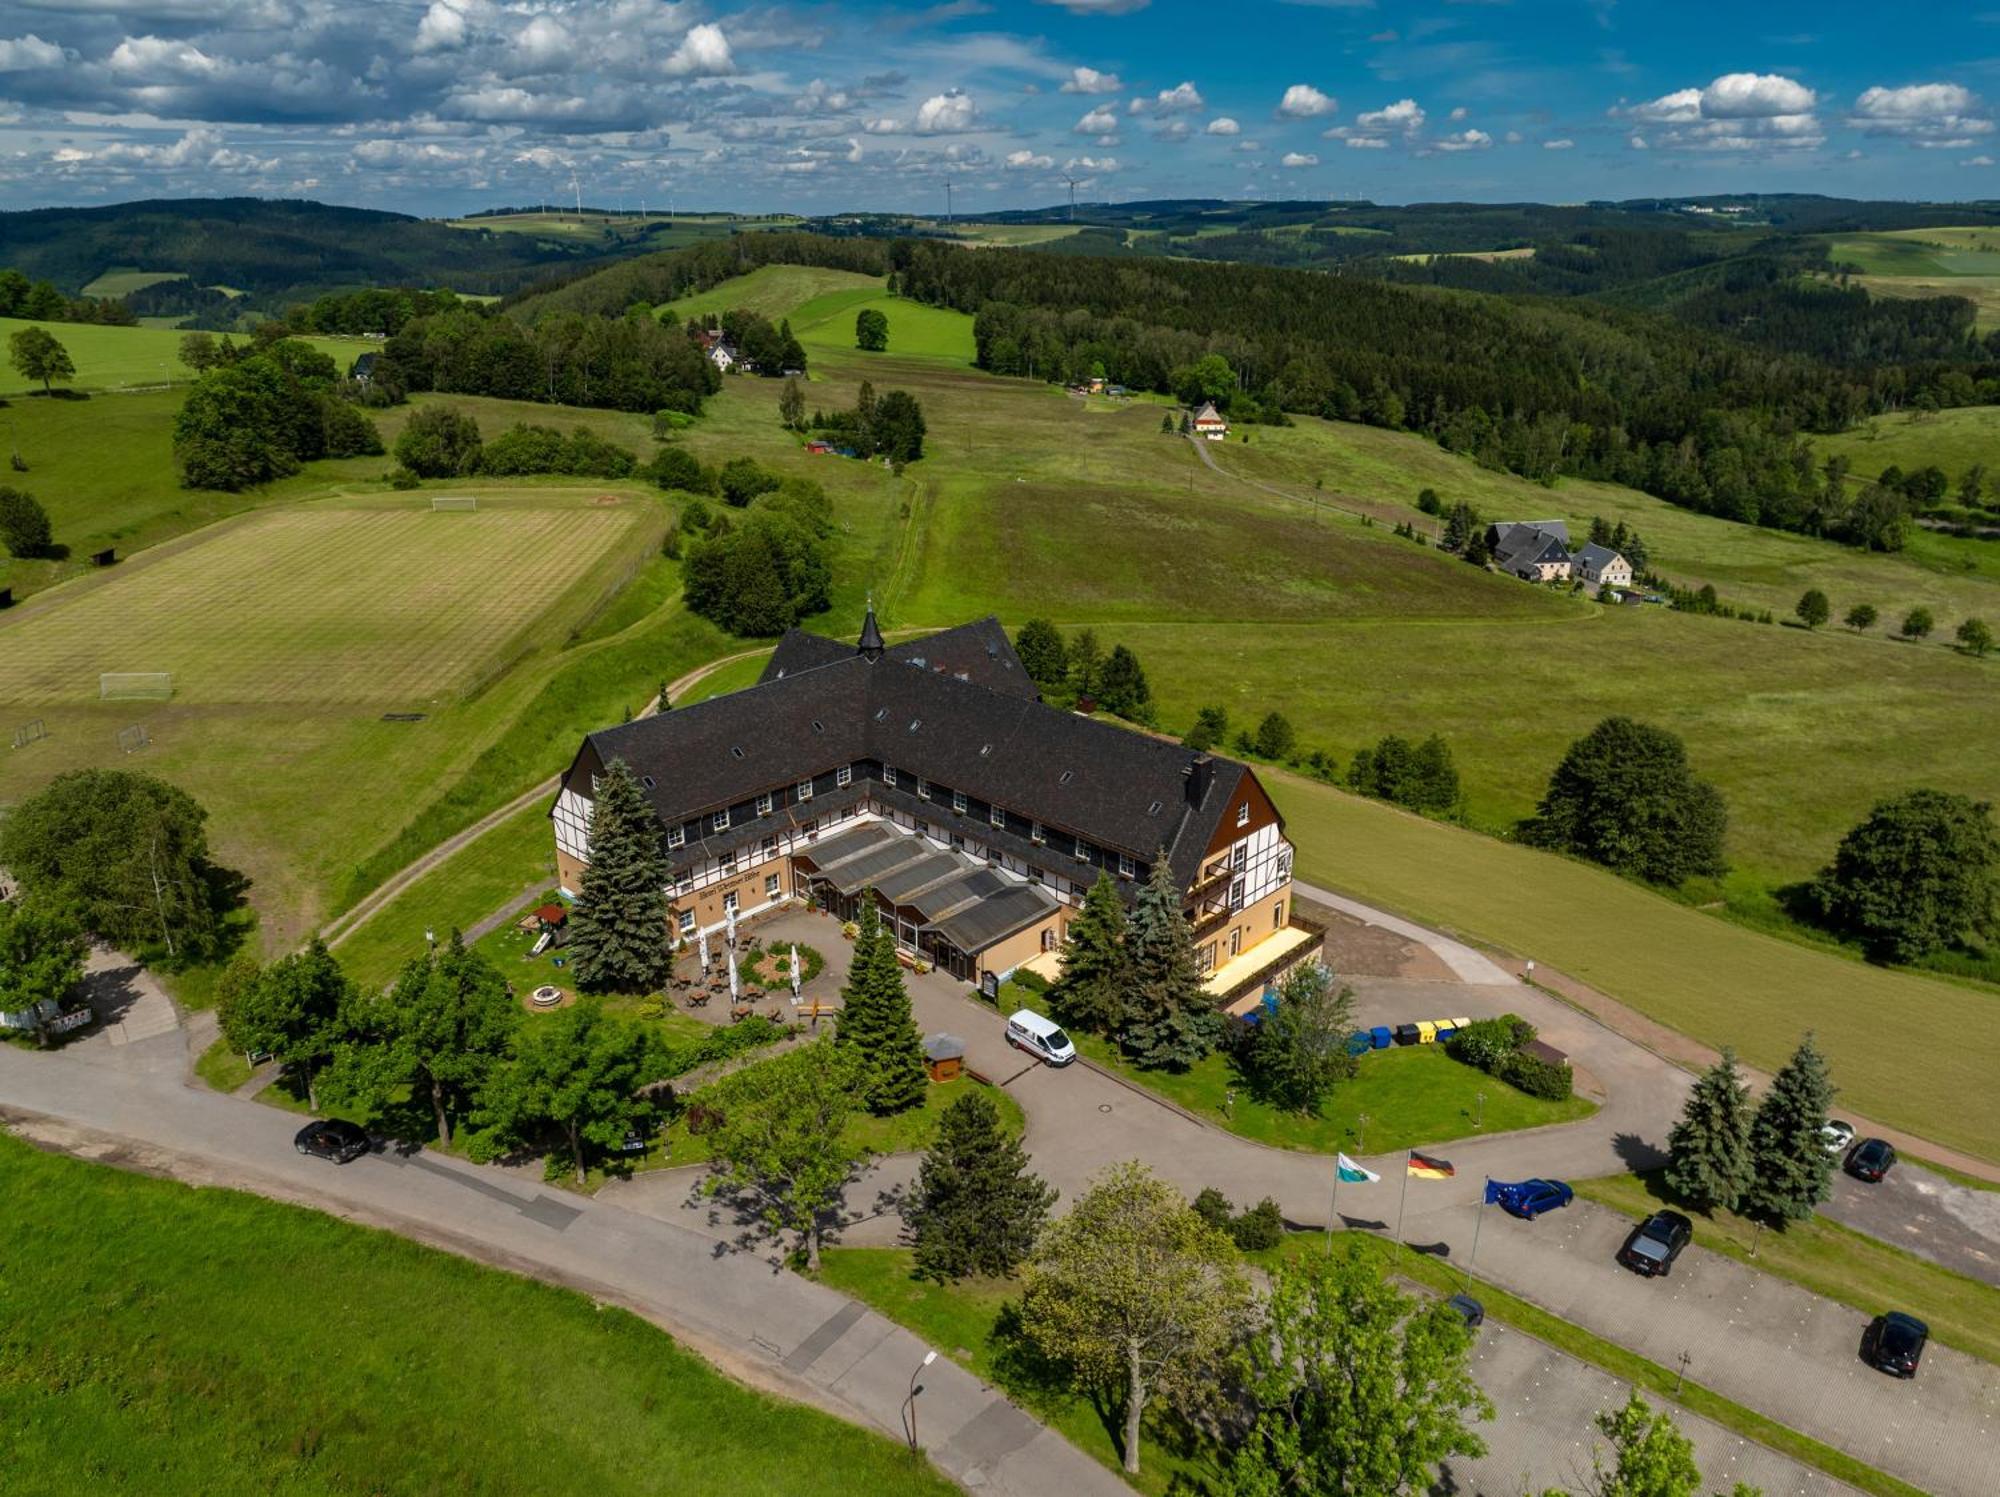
column 1707, row 978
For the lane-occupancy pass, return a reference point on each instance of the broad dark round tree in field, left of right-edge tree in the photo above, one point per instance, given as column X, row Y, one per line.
column 1627, row 798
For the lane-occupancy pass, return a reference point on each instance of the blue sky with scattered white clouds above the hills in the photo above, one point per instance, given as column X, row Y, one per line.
column 449, row 105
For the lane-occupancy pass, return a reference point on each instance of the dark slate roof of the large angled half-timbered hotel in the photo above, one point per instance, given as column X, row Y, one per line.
column 1113, row 788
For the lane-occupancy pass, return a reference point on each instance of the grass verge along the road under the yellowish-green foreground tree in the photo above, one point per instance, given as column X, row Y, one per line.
column 961, row 1322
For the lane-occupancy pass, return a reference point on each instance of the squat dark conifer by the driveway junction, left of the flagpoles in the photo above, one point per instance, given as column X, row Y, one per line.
column 977, row 1208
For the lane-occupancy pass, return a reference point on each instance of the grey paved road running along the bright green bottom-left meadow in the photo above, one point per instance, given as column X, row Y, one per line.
column 759, row 1324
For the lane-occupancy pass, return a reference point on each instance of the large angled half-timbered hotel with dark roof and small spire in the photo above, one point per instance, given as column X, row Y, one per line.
column 933, row 780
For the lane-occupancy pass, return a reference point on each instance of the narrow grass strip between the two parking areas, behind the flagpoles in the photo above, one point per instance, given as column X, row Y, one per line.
column 1615, row 1360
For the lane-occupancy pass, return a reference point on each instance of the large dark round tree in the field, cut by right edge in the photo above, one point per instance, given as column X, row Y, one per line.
column 1917, row 876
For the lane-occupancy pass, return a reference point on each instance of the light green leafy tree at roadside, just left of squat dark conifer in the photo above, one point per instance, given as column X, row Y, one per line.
column 781, row 1138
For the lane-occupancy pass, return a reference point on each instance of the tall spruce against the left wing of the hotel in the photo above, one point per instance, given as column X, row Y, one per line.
column 619, row 926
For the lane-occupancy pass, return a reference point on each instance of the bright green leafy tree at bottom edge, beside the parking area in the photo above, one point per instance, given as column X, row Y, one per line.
column 1357, row 1388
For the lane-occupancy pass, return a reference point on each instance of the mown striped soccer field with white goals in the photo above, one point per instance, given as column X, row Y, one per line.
column 323, row 605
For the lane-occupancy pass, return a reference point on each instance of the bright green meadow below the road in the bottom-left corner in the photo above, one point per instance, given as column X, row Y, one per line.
column 165, row 1342
